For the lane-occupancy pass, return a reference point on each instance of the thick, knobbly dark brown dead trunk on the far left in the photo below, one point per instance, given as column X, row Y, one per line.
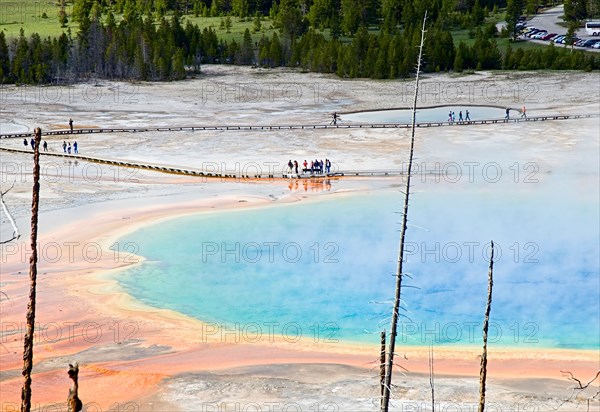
column 28, row 340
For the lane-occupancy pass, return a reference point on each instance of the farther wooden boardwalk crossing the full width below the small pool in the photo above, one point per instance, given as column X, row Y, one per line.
column 296, row 127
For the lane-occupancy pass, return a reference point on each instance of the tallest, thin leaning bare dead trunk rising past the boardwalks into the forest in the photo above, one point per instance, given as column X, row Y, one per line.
column 385, row 402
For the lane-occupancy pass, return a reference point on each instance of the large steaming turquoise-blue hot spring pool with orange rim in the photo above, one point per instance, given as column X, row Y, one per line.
column 321, row 270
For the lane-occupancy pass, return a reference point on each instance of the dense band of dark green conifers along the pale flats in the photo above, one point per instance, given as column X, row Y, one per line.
column 150, row 49
